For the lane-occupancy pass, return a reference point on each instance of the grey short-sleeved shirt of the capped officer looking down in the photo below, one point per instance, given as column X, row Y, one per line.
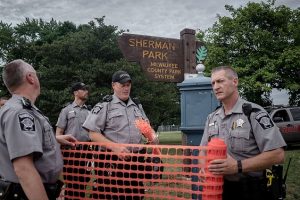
column 115, row 120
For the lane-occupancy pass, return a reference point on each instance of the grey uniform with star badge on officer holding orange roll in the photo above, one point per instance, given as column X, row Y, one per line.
column 245, row 136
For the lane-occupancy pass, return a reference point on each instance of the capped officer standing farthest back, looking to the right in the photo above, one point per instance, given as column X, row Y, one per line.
column 70, row 122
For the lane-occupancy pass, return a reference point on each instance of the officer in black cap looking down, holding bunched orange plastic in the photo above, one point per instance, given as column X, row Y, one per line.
column 113, row 122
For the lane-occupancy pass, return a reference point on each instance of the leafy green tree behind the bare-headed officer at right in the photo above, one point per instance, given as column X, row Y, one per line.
column 261, row 41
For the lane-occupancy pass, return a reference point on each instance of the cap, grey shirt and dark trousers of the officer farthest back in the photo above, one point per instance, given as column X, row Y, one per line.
column 71, row 119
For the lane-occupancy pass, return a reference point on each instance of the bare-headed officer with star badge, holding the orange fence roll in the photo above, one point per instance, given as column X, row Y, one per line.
column 254, row 142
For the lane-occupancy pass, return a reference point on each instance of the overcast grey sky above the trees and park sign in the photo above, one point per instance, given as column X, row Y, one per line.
column 159, row 18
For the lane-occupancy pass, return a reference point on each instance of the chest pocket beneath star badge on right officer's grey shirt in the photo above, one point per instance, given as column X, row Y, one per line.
column 239, row 140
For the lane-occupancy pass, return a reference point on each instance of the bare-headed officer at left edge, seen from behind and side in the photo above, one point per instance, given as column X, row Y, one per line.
column 30, row 158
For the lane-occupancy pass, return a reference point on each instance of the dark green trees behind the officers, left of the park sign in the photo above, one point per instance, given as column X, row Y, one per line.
column 63, row 53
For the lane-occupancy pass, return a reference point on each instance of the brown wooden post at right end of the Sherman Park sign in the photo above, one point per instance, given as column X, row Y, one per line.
column 189, row 50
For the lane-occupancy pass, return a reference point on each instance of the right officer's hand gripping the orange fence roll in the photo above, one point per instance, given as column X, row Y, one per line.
column 223, row 166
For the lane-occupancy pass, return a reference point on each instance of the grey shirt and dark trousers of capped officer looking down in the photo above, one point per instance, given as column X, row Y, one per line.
column 115, row 120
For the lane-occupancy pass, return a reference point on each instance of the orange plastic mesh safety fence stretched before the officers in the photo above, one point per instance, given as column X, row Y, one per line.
column 93, row 171
